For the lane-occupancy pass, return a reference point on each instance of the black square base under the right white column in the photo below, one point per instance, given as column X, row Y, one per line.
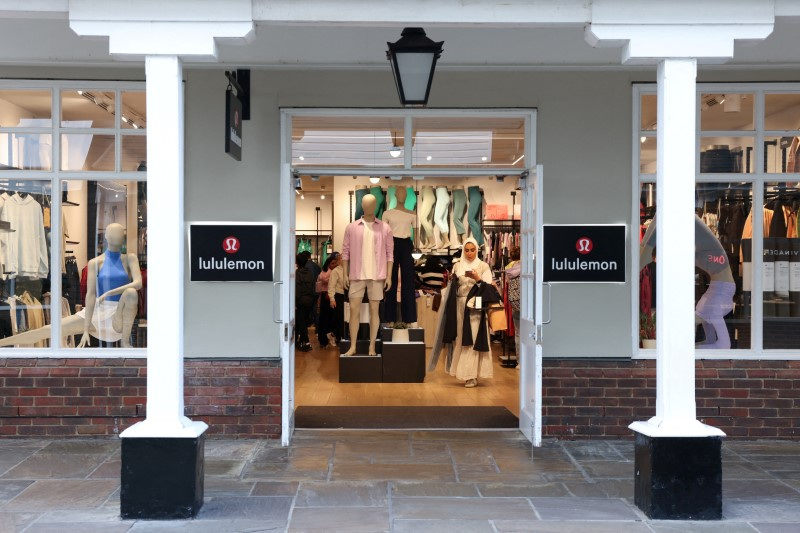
column 679, row 478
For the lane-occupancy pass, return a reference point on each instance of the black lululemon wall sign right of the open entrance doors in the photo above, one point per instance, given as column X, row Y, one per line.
column 584, row 254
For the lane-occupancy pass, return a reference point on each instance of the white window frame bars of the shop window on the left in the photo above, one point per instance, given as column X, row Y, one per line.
column 55, row 176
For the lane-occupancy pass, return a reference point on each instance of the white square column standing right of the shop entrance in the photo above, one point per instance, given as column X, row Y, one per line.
column 675, row 216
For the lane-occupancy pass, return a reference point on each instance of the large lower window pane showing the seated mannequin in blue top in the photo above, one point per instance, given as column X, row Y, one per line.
column 104, row 238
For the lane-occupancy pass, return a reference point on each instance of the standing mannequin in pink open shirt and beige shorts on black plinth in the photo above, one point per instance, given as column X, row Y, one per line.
column 372, row 246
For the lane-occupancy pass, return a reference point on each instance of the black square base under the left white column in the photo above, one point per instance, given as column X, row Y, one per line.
column 162, row 478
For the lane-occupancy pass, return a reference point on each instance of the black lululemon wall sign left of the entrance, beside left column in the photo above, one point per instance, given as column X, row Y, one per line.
column 230, row 252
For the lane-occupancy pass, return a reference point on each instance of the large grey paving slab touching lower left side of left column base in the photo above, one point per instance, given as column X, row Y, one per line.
column 51, row 494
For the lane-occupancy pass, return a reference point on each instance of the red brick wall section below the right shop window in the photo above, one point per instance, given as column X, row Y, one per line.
column 599, row 398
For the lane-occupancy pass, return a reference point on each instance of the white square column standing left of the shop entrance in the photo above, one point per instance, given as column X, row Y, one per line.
column 165, row 250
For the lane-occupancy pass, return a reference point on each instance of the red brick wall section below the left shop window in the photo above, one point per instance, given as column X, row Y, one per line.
column 83, row 397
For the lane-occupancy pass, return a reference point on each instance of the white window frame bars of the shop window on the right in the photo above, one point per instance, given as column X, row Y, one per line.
column 757, row 180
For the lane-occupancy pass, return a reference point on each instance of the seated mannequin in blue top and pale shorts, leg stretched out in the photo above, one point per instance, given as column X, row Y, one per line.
column 109, row 316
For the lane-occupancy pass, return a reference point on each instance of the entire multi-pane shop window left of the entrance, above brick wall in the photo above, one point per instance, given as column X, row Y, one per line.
column 102, row 210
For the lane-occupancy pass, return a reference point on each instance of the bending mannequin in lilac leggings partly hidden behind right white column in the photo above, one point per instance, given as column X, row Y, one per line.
column 717, row 301
